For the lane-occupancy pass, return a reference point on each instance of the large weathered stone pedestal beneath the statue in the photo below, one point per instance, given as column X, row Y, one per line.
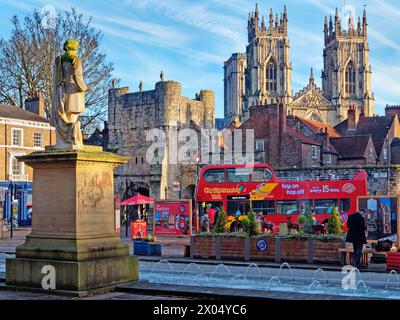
column 73, row 228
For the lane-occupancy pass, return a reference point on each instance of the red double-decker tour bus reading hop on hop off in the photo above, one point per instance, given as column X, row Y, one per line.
column 237, row 187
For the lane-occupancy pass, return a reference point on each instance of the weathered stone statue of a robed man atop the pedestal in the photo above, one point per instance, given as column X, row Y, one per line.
column 68, row 100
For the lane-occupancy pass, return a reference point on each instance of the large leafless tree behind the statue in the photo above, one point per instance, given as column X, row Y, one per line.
column 27, row 59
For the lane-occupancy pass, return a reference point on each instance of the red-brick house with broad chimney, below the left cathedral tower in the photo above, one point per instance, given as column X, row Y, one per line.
column 288, row 141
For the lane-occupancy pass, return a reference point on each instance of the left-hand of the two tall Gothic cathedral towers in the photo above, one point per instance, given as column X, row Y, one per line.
column 268, row 71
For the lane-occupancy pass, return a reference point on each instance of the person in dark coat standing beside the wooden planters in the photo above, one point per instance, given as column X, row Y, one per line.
column 356, row 235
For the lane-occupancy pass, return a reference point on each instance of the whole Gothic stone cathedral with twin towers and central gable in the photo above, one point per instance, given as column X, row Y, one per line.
column 263, row 73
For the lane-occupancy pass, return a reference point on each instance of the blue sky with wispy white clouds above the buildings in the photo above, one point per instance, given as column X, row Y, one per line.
column 189, row 40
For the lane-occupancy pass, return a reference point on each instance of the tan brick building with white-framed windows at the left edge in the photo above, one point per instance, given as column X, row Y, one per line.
column 22, row 132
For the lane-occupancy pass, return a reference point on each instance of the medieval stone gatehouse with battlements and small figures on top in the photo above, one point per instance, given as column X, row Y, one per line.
column 133, row 115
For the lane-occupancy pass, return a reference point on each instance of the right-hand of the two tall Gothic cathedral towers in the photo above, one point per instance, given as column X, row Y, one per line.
column 346, row 78
